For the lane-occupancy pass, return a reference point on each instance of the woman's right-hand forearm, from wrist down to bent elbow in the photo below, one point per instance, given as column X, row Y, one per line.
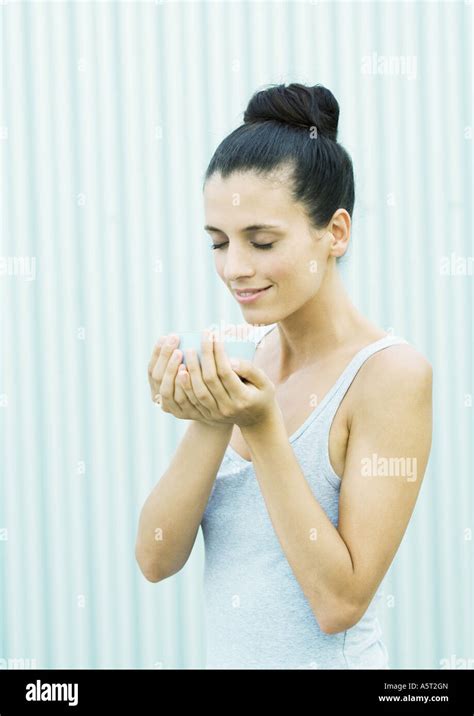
column 315, row 550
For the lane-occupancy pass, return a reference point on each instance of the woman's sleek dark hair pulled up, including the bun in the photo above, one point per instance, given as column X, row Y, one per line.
column 294, row 125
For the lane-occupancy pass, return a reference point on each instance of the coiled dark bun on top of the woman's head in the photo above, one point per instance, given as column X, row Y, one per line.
column 296, row 105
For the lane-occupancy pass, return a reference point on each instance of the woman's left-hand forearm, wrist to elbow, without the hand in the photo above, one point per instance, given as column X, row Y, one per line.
column 170, row 518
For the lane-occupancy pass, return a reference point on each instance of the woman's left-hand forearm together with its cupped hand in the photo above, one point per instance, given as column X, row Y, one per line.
column 171, row 515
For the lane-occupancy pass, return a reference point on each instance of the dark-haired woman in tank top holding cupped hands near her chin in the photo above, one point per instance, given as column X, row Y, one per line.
column 303, row 466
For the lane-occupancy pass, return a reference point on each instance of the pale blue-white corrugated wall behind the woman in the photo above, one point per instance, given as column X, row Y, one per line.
column 110, row 114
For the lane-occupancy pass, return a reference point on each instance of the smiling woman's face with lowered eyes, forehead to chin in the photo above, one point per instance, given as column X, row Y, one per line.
column 264, row 239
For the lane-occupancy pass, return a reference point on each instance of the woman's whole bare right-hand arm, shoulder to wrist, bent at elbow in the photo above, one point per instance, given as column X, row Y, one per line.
column 340, row 570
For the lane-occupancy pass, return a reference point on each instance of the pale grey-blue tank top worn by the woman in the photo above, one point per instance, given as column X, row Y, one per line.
column 256, row 614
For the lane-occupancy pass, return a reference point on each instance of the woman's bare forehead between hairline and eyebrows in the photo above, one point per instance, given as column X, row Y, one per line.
column 249, row 196
